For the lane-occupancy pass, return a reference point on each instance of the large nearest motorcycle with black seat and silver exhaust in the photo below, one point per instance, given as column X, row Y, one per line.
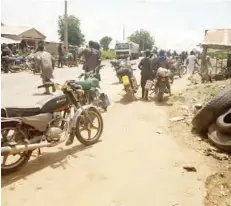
column 46, row 125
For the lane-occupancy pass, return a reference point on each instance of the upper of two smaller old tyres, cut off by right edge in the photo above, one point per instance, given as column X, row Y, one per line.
column 224, row 122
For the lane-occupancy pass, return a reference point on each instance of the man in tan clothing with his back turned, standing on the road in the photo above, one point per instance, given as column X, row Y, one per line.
column 46, row 62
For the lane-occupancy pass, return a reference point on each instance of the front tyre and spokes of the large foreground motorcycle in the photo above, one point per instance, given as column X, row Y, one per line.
column 83, row 122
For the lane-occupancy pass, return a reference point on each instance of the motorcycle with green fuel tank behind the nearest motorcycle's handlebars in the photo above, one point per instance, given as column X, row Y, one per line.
column 91, row 87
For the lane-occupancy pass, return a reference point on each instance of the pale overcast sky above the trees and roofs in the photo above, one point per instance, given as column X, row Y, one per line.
column 175, row 24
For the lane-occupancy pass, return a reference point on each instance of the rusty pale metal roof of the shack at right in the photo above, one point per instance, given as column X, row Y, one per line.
column 220, row 37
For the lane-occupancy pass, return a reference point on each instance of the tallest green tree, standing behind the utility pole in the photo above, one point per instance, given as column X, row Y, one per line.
column 75, row 36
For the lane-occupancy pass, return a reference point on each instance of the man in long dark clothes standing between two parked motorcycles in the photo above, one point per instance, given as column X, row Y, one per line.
column 146, row 72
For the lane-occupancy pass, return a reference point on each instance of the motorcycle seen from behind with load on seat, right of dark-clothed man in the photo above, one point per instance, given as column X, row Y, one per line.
column 160, row 85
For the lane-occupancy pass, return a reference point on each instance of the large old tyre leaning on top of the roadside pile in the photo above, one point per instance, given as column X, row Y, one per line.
column 212, row 110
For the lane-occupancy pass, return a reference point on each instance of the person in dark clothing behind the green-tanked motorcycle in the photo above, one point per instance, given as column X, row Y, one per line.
column 91, row 56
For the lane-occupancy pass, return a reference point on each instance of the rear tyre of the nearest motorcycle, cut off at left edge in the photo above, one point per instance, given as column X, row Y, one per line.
column 24, row 156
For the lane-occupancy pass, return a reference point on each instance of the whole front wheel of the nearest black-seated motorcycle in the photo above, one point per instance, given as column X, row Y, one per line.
column 87, row 123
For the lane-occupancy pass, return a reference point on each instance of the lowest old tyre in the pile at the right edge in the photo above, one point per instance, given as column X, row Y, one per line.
column 221, row 140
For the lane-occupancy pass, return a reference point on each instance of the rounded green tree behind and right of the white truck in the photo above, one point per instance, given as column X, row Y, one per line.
column 143, row 38
